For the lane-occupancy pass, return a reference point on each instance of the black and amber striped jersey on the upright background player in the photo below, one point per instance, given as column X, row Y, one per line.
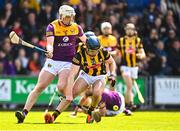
column 129, row 47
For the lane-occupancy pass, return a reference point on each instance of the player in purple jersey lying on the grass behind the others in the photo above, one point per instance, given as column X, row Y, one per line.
column 112, row 103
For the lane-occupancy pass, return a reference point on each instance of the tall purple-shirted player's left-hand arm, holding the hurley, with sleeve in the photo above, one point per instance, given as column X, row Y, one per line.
column 50, row 40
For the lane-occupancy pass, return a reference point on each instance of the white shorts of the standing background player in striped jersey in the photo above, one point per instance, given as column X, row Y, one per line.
column 130, row 71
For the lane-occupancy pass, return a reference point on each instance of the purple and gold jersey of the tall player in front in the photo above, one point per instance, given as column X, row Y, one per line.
column 64, row 46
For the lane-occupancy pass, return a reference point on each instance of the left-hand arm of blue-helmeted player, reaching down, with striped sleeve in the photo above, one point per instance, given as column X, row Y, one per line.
column 72, row 74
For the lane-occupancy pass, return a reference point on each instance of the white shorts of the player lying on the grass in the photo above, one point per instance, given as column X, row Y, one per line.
column 122, row 108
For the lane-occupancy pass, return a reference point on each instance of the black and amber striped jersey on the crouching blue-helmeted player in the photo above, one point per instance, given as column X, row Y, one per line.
column 93, row 66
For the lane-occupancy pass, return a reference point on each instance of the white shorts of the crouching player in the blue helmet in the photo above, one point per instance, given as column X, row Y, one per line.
column 91, row 79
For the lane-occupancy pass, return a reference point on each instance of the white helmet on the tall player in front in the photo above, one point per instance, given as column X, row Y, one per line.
column 66, row 10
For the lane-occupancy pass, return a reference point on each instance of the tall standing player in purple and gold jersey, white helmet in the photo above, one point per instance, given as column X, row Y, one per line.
column 61, row 42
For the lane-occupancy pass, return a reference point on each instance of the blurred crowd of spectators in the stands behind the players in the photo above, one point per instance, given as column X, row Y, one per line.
column 157, row 23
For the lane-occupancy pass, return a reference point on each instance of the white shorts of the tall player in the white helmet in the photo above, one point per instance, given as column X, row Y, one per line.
column 55, row 67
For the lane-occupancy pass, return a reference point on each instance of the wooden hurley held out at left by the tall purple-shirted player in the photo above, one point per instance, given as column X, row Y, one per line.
column 16, row 40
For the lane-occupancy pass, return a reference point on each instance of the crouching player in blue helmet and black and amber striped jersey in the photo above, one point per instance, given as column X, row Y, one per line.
column 91, row 60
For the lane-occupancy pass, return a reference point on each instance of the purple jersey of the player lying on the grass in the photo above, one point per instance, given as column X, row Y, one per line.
column 112, row 100
